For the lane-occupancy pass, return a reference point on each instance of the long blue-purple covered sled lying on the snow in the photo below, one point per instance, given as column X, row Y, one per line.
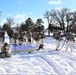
column 22, row 48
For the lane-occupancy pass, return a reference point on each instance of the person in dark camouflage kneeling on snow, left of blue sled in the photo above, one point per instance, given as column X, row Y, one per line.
column 5, row 51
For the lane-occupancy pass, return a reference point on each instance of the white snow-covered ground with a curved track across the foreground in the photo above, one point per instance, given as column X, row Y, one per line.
column 43, row 62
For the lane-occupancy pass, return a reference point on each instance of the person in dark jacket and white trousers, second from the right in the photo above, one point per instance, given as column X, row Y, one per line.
column 57, row 36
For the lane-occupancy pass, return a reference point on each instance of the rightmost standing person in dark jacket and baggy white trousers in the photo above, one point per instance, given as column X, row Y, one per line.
column 69, row 41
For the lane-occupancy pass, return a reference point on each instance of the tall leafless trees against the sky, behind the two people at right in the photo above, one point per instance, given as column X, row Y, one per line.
column 63, row 19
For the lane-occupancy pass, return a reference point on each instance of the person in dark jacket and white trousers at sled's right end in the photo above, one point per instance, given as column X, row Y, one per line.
column 38, row 36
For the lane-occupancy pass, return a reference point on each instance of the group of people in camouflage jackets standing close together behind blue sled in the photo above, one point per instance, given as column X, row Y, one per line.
column 29, row 38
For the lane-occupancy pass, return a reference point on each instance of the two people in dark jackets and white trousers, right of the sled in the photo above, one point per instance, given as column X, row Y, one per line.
column 69, row 39
